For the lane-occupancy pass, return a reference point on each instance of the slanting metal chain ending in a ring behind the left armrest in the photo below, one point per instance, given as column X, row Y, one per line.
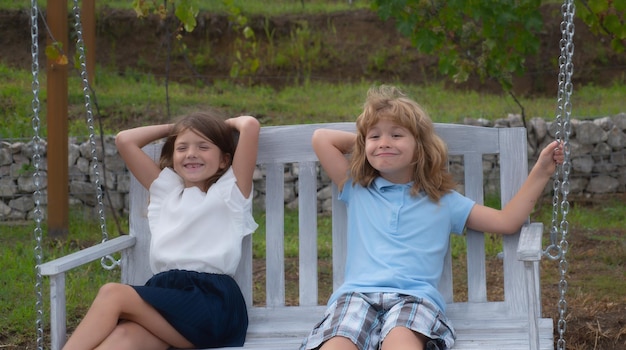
column 107, row 262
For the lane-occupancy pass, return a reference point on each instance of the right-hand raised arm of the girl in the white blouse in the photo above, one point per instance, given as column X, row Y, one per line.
column 244, row 159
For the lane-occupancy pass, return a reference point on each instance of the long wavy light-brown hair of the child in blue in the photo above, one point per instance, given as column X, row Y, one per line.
column 430, row 156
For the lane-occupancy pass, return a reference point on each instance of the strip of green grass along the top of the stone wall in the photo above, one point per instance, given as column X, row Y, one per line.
column 134, row 98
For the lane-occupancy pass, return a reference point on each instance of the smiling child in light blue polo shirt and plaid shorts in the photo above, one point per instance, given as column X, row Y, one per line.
column 401, row 209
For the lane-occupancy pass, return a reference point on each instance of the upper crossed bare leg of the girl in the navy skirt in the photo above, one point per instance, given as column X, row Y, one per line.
column 116, row 302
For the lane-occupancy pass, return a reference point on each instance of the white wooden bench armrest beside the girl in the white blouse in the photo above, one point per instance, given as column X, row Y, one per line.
column 87, row 255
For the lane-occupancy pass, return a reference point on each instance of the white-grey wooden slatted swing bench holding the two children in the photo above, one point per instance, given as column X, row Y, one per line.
column 514, row 323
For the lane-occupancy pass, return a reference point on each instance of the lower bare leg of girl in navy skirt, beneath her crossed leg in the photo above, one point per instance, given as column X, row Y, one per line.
column 131, row 336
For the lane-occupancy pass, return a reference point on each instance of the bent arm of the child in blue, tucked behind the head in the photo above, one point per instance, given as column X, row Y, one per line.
column 331, row 146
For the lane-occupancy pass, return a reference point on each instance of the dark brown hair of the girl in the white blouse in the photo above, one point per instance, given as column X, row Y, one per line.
column 209, row 124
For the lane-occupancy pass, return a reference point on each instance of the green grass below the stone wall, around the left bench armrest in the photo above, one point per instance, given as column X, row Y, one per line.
column 17, row 286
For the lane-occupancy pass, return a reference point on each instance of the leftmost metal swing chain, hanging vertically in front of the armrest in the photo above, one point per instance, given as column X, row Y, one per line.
column 37, row 178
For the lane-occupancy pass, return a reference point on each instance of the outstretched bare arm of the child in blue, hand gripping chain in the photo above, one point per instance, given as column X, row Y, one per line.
column 515, row 213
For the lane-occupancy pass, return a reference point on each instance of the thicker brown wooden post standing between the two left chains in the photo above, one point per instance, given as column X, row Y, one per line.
column 57, row 110
